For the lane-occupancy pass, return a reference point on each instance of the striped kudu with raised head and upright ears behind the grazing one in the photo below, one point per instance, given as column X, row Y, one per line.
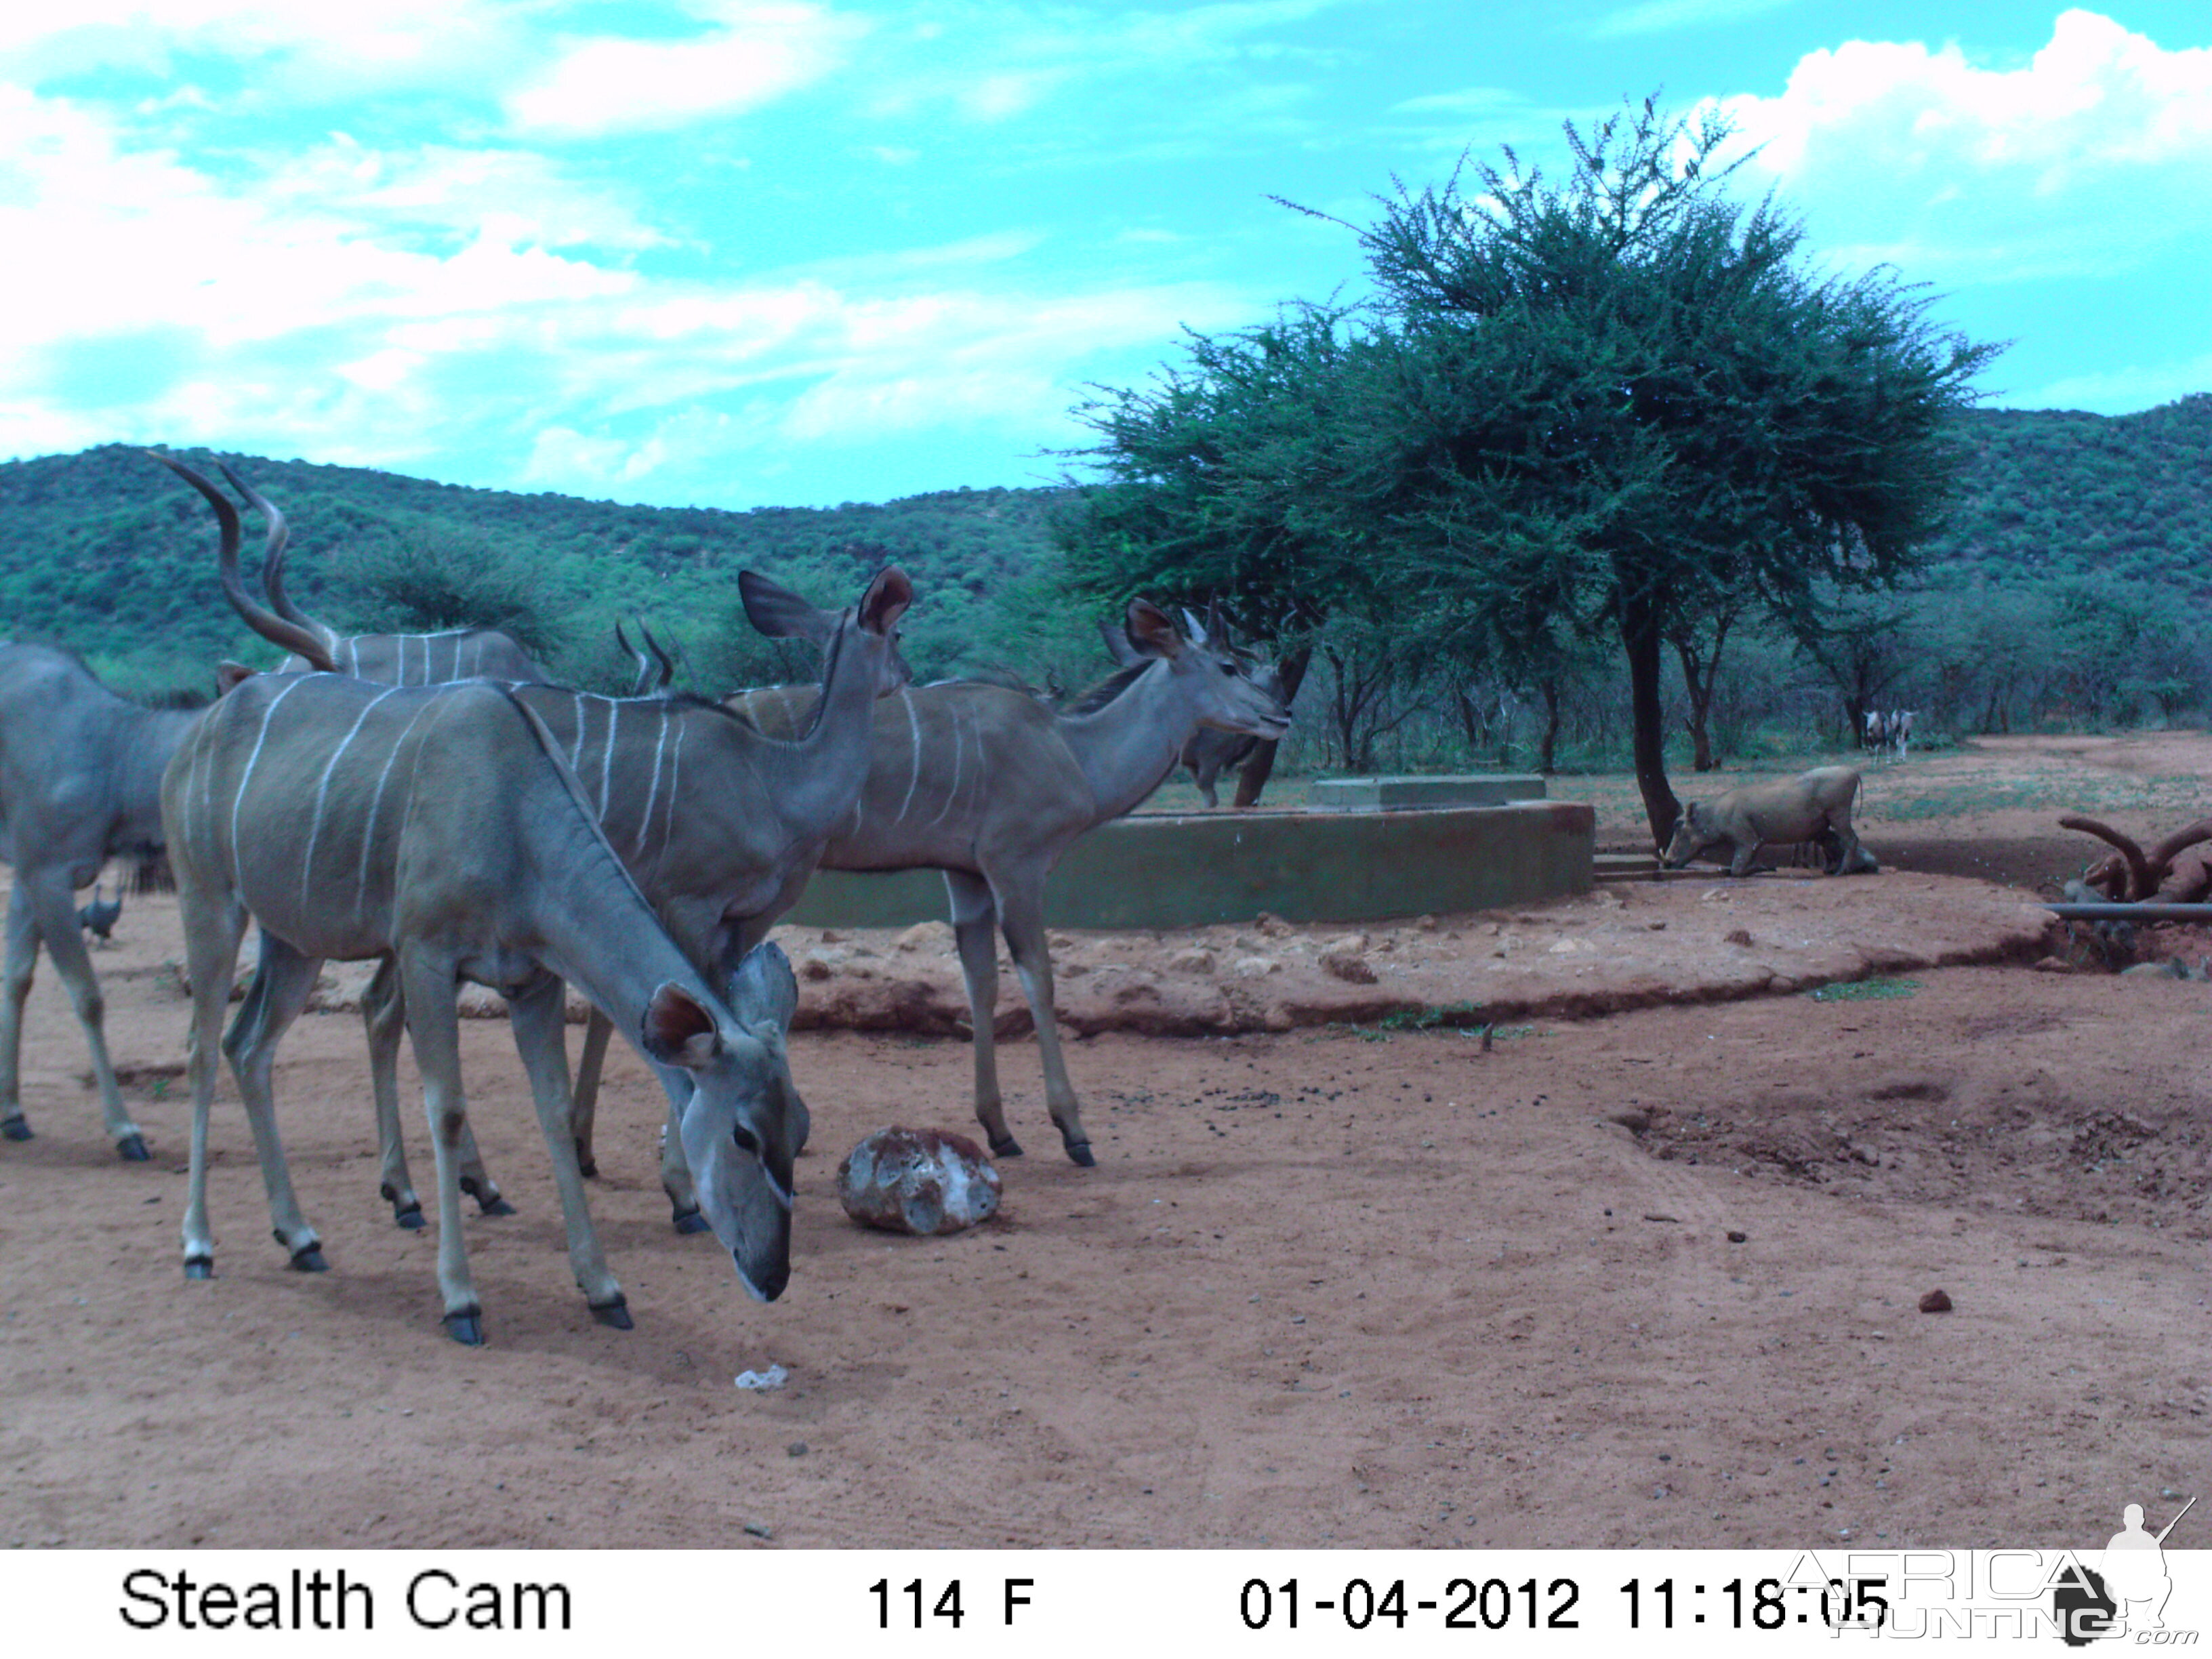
column 711, row 817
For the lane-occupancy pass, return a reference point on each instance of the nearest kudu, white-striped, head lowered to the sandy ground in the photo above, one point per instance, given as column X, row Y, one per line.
column 446, row 831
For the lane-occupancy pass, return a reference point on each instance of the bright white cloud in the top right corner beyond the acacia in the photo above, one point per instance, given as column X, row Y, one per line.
column 2089, row 158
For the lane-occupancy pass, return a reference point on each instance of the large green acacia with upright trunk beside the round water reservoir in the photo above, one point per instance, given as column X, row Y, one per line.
column 1618, row 406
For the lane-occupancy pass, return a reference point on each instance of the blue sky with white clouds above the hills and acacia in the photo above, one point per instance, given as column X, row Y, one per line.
column 738, row 255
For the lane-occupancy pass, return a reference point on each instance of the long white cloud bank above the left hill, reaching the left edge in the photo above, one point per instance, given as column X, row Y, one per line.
column 408, row 306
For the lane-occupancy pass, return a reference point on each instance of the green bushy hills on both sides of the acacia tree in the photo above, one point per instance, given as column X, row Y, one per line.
column 116, row 559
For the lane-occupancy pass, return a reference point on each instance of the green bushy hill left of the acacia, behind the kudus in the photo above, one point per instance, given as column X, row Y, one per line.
column 114, row 556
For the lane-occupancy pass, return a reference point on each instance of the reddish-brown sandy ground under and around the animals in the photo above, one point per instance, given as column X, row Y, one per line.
column 1634, row 1280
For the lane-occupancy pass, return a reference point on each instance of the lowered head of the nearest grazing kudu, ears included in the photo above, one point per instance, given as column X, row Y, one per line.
column 738, row 1129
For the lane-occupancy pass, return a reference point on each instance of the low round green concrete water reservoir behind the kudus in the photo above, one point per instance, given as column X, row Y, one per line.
column 1193, row 870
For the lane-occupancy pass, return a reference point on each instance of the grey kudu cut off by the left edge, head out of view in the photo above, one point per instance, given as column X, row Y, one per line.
column 81, row 782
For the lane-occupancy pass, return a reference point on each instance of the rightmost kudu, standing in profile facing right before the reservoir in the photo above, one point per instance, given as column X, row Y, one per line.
column 992, row 786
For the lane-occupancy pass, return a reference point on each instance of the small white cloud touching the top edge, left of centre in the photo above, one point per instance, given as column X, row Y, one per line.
column 618, row 85
